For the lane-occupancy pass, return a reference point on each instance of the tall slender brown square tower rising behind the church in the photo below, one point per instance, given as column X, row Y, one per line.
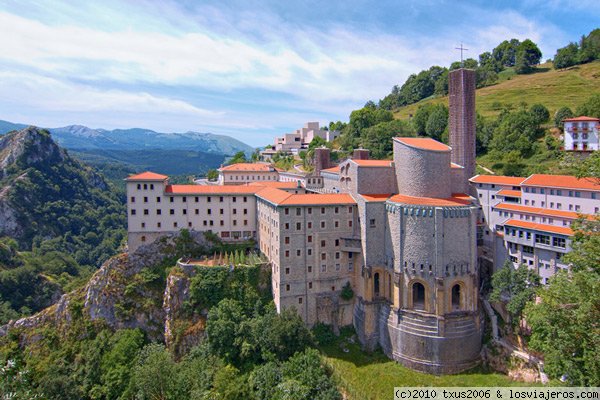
column 461, row 88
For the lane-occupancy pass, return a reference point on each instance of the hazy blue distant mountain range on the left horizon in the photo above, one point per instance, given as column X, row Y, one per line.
column 80, row 137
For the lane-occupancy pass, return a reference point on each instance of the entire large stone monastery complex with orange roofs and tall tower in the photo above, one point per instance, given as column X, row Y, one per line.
column 408, row 235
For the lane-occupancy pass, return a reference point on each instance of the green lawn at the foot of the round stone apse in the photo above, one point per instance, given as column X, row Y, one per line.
column 374, row 376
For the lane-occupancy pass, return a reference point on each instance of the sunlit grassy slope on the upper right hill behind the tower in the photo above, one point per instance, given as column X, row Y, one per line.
column 550, row 87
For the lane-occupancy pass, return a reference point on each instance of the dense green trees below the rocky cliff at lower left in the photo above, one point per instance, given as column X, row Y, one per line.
column 248, row 351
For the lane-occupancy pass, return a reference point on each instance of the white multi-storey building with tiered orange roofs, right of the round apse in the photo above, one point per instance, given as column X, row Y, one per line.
column 528, row 220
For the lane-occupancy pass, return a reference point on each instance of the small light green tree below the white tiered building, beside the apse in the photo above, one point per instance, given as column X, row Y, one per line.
column 515, row 287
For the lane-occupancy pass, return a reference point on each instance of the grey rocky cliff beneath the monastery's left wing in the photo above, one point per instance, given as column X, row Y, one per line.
column 127, row 293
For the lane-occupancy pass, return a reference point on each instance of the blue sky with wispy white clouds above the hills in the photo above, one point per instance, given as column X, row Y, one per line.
column 249, row 69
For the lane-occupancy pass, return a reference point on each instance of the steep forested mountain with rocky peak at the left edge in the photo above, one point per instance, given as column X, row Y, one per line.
column 59, row 221
